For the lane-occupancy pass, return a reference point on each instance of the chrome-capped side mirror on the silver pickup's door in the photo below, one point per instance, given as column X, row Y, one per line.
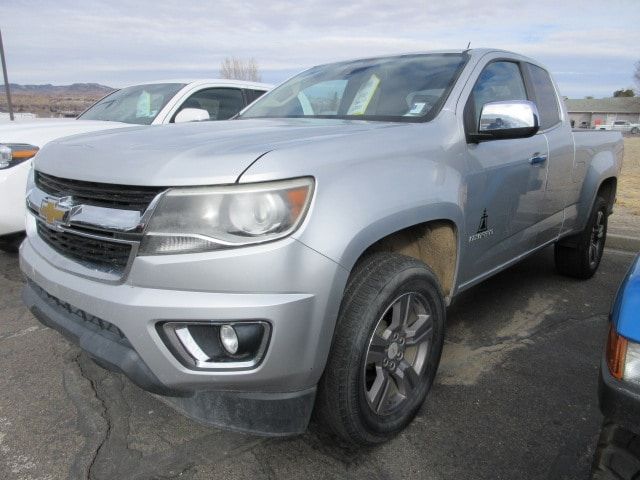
column 509, row 119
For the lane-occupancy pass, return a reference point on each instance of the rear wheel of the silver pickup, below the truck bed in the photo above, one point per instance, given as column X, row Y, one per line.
column 579, row 256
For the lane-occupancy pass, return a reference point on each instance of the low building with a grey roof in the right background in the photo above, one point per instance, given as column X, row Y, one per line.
column 592, row 112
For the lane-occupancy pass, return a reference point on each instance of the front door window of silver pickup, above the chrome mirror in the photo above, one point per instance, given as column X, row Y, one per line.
column 499, row 81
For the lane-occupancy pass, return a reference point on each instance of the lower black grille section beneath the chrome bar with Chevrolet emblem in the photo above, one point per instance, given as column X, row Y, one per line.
column 96, row 253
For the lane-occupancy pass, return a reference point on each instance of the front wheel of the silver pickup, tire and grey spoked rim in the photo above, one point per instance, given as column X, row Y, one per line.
column 385, row 352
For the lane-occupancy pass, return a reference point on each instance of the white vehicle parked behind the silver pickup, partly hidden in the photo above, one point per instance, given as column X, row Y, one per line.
column 153, row 103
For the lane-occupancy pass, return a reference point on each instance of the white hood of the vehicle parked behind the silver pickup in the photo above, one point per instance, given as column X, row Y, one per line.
column 40, row 132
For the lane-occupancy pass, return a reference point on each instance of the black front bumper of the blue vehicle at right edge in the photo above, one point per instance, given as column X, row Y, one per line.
column 619, row 401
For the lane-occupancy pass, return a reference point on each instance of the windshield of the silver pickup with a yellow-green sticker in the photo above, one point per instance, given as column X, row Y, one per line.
column 408, row 88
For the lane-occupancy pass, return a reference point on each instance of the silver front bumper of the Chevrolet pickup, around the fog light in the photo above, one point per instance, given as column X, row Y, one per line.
column 287, row 284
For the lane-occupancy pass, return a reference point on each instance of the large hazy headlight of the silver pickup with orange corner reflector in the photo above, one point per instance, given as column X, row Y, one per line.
column 188, row 220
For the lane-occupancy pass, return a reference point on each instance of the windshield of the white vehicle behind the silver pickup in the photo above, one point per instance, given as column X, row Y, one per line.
column 139, row 104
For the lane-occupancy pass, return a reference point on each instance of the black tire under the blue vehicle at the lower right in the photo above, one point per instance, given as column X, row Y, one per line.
column 617, row 455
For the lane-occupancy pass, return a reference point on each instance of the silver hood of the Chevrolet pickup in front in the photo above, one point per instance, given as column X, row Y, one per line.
column 204, row 153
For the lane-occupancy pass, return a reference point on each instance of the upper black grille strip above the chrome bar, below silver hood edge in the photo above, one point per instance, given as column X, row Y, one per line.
column 124, row 197
